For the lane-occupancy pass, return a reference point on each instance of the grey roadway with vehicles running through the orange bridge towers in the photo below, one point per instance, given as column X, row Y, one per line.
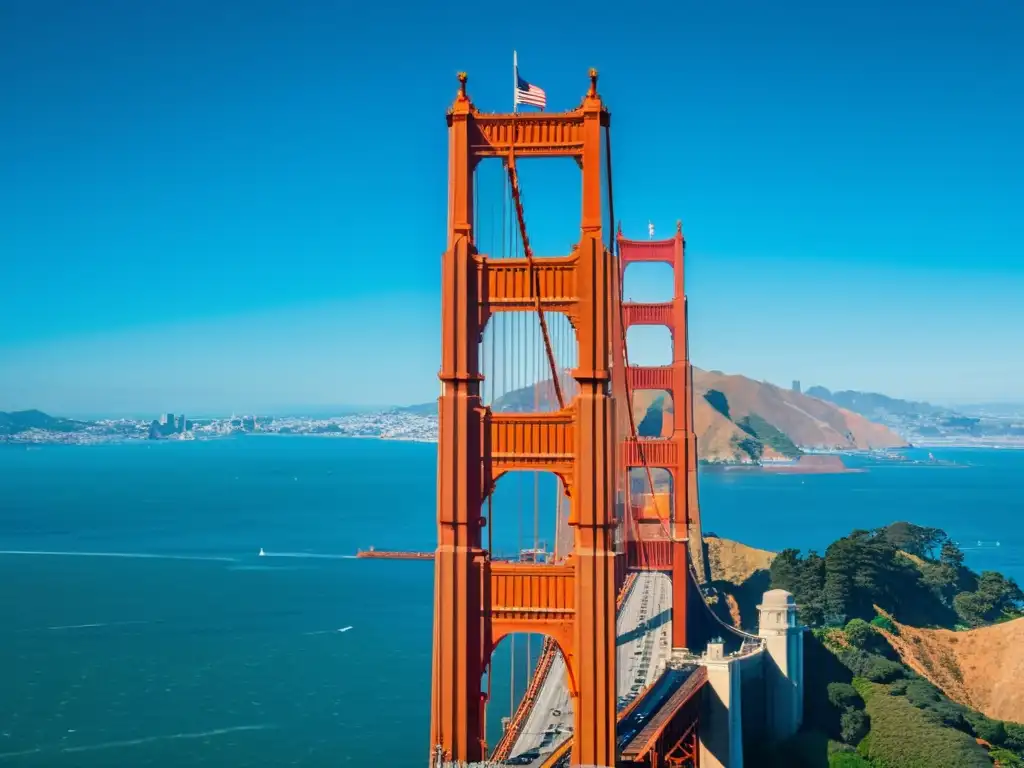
column 645, row 630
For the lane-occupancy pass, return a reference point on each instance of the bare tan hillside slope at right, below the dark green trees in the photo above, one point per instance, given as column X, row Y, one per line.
column 982, row 669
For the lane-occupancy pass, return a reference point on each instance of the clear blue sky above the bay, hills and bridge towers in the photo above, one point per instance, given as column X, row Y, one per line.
column 242, row 205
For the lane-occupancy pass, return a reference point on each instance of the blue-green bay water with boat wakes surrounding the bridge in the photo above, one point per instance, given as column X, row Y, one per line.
column 140, row 628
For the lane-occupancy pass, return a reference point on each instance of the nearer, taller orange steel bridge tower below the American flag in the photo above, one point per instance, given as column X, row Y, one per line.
column 478, row 601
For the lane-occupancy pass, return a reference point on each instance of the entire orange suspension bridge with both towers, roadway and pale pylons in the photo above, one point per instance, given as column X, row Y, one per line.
column 536, row 378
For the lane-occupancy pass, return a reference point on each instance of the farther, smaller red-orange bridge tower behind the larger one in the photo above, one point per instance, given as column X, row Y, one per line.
column 678, row 453
